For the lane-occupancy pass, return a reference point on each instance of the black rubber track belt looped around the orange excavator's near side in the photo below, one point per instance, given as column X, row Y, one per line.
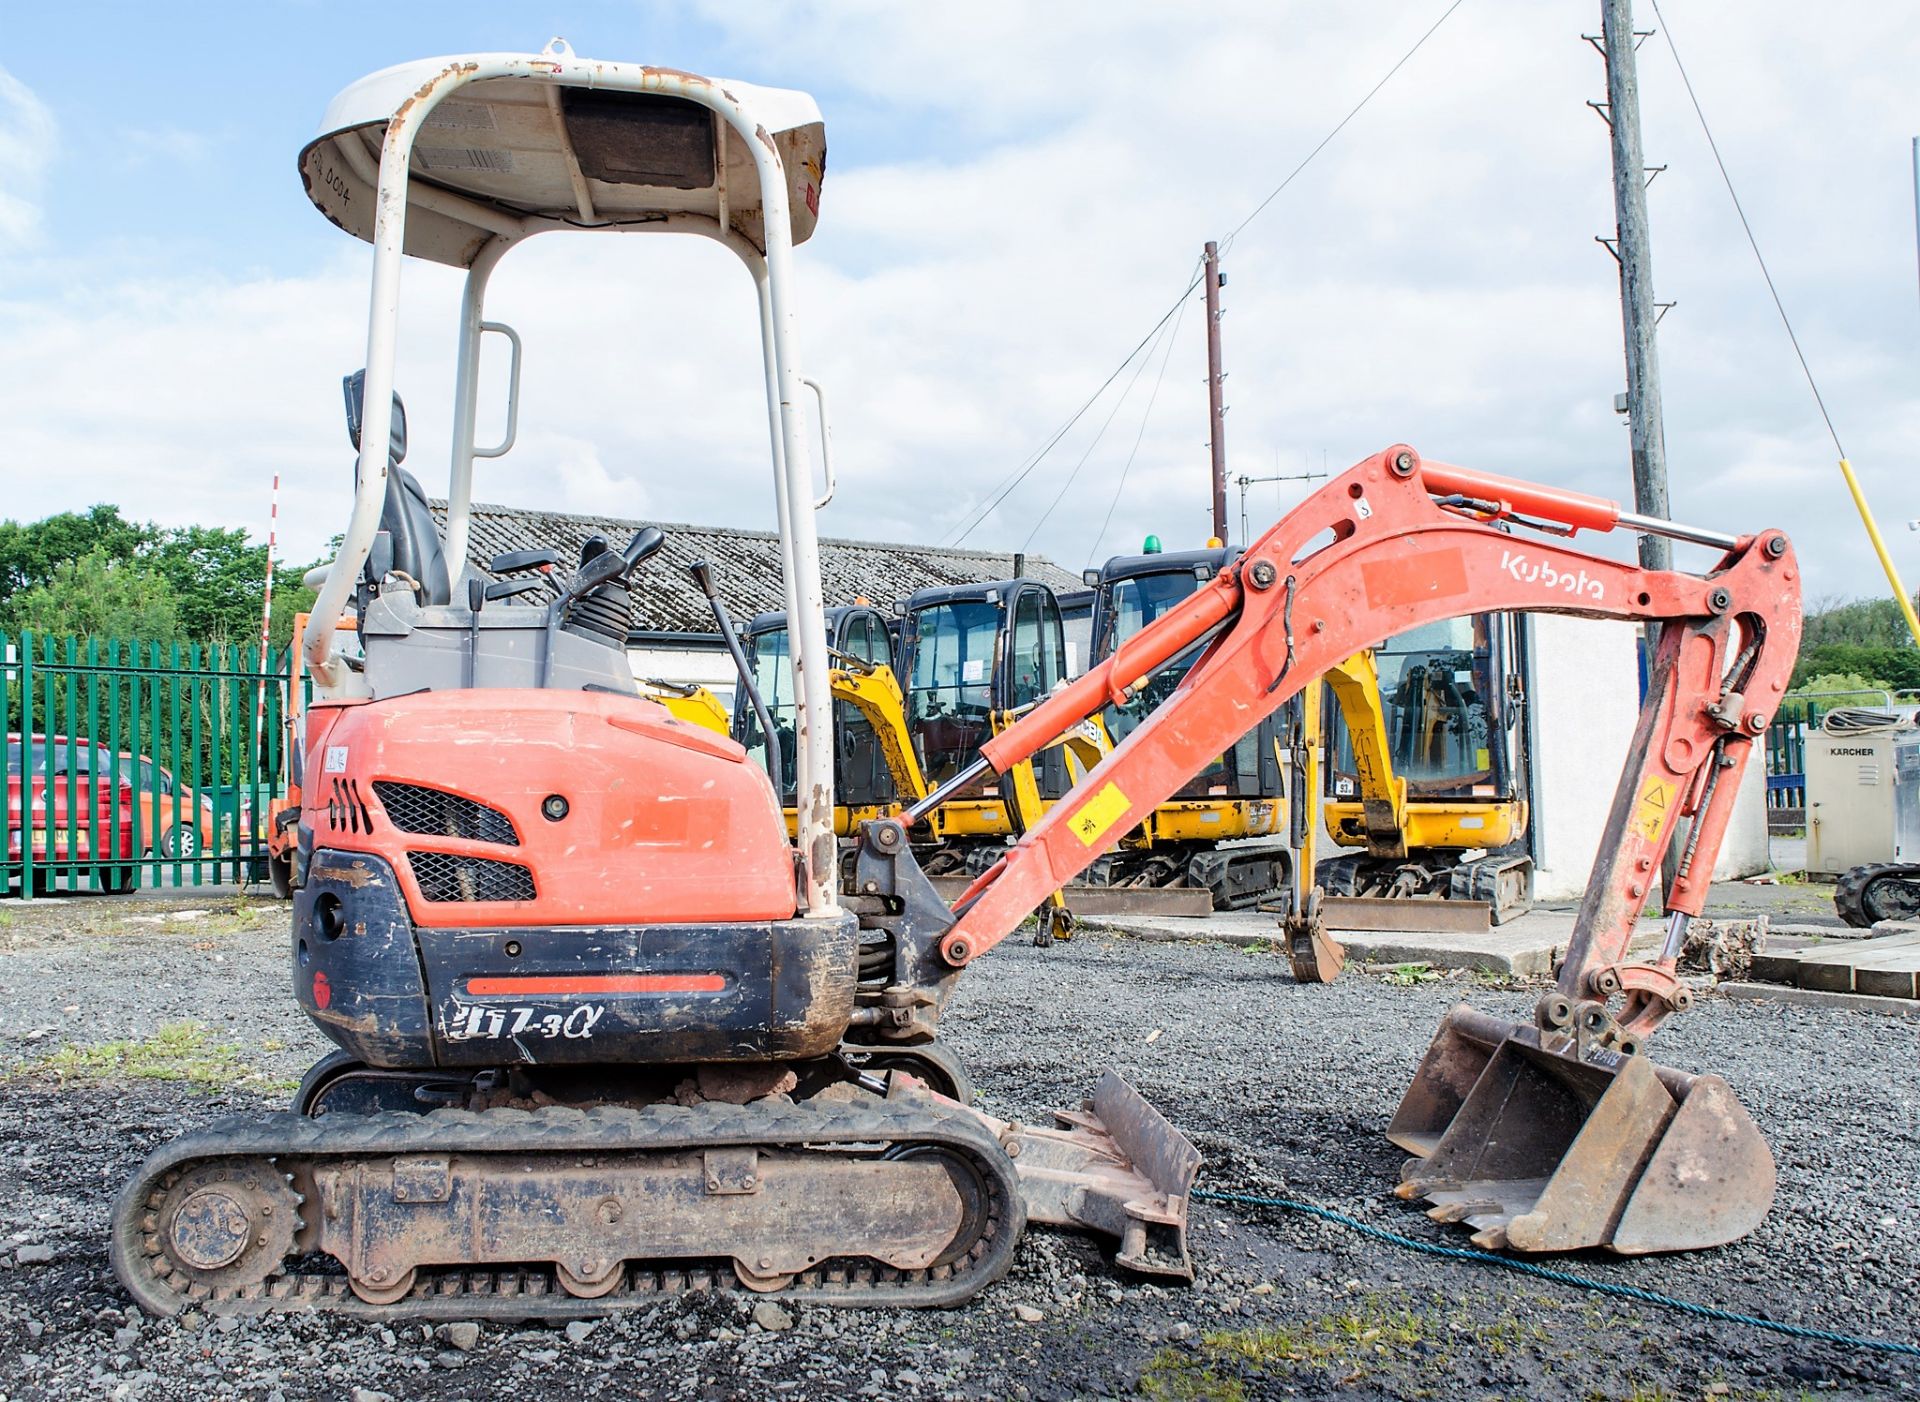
column 533, row 1292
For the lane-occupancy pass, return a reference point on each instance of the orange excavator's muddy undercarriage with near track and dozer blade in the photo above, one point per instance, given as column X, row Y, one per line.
column 855, row 1197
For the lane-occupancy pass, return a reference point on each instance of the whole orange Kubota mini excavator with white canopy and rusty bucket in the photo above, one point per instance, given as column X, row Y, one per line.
column 608, row 1032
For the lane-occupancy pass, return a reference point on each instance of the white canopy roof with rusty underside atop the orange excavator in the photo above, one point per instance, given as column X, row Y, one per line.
column 514, row 155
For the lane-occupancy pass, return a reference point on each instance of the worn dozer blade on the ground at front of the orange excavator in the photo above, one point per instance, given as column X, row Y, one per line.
column 1115, row 1167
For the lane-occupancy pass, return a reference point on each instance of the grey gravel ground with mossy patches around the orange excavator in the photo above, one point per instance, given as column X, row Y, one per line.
column 1284, row 1088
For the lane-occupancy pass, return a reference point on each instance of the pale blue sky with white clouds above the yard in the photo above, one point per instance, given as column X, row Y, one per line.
column 1015, row 197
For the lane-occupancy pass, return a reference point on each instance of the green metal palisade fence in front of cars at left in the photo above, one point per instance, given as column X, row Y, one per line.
column 135, row 763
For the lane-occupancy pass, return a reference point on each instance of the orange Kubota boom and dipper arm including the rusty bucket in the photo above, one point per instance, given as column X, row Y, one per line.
column 1548, row 1136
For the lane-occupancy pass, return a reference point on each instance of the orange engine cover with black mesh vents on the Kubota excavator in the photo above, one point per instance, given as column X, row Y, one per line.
column 544, row 808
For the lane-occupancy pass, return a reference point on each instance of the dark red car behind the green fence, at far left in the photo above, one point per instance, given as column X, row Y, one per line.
column 72, row 817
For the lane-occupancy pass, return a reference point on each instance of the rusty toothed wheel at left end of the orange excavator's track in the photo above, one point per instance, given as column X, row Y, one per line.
column 222, row 1228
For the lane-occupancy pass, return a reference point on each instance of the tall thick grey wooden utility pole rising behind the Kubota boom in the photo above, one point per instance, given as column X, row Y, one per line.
column 1637, row 278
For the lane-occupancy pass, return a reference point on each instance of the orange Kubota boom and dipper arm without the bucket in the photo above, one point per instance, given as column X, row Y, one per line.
column 1389, row 546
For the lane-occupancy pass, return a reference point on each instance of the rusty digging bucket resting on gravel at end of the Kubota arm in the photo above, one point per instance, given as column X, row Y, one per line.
column 1545, row 1144
